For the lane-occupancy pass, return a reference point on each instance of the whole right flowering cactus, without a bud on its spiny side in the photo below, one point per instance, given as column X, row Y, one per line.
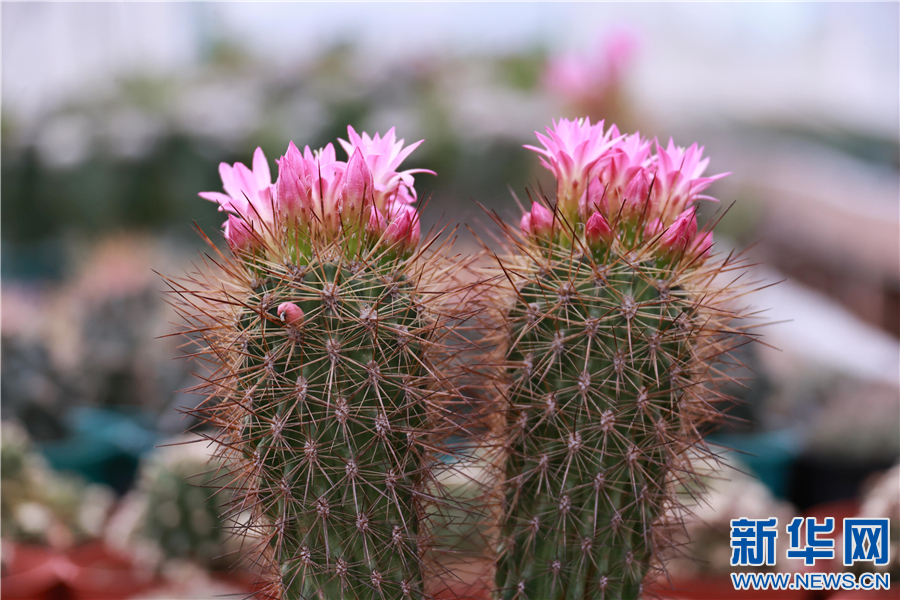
column 616, row 331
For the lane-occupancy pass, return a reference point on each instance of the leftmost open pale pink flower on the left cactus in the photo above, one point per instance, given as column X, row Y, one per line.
column 247, row 193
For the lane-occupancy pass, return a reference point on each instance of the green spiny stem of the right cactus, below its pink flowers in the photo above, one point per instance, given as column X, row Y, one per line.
column 595, row 424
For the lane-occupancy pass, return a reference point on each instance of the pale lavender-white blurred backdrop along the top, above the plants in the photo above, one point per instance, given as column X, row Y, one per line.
column 783, row 61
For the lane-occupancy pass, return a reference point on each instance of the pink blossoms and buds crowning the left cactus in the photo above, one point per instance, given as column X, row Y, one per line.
column 317, row 194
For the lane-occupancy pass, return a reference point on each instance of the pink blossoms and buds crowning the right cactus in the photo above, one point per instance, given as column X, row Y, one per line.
column 611, row 182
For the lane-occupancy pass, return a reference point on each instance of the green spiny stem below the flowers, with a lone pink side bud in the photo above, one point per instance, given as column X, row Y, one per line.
column 332, row 426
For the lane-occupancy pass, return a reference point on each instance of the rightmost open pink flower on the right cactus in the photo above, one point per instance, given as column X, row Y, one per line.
column 679, row 178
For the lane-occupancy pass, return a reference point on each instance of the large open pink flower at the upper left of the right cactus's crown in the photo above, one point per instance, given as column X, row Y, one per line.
column 574, row 151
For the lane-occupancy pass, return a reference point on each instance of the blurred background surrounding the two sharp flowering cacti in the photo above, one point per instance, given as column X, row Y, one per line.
column 115, row 115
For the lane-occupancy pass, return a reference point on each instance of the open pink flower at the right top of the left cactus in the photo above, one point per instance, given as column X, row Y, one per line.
column 383, row 156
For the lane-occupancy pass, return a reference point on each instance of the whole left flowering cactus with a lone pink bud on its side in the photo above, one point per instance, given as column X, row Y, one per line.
column 320, row 330
